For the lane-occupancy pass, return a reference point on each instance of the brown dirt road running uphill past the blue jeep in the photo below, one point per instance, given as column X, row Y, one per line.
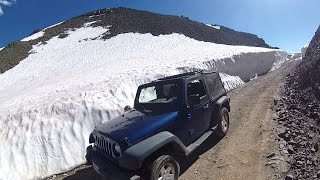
column 242, row 153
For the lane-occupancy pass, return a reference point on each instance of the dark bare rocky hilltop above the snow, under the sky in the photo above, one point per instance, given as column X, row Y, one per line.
column 123, row 20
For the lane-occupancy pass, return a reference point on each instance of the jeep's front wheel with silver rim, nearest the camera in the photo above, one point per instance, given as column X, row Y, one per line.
column 164, row 166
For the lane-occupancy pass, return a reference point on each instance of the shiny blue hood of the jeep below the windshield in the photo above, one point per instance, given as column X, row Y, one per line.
column 133, row 126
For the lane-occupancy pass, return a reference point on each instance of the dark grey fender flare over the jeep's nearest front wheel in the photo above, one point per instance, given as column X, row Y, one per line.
column 134, row 156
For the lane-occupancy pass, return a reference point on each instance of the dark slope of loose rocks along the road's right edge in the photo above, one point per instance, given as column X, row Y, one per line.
column 299, row 113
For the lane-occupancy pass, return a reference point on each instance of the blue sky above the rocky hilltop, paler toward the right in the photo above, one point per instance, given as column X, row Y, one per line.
column 288, row 24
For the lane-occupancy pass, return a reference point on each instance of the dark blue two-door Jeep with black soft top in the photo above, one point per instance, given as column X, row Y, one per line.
column 171, row 117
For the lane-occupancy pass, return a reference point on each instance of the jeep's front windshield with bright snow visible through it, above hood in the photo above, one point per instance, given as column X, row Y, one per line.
column 158, row 98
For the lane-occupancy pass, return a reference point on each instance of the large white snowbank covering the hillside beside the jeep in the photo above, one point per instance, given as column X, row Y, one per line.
column 52, row 100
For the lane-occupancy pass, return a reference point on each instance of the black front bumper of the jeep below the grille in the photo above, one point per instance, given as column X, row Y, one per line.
column 104, row 166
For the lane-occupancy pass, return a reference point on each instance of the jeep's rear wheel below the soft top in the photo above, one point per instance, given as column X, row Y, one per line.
column 223, row 123
